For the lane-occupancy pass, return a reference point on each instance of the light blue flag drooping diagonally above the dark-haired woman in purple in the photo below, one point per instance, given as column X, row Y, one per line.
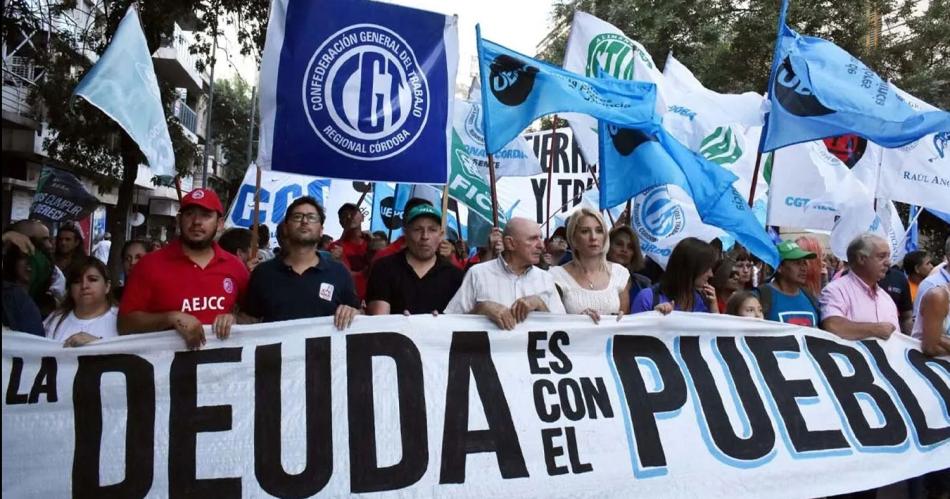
column 633, row 161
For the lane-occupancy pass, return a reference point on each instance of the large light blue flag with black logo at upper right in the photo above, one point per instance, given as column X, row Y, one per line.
column 818, row 90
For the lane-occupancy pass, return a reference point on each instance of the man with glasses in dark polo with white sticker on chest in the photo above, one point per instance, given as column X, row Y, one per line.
column 302, row 282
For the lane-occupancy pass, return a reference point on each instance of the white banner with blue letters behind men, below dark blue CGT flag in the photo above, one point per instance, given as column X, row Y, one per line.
column 278, row 190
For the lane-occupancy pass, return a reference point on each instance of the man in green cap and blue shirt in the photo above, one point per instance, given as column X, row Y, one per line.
column 786, row 299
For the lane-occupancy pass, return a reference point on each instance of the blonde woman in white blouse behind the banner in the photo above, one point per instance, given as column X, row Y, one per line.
column 589, row 284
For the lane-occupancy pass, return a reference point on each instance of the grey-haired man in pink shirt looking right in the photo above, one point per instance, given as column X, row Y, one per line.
column 853, row 306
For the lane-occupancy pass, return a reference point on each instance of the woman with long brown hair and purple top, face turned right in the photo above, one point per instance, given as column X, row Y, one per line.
column 685, row 284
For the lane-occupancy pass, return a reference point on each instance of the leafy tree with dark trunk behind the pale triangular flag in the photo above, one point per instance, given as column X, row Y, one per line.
column 83, row 138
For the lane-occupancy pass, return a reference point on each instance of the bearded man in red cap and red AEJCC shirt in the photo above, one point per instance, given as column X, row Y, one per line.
column 189, row 283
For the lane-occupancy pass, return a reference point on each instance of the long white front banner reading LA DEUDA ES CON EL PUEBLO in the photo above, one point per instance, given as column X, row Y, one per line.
column 683, row 405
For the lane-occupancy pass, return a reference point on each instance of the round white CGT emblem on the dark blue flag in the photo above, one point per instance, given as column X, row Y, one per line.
column 365, row 94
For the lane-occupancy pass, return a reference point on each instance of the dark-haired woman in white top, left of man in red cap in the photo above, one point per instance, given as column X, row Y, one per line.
column 88, row 313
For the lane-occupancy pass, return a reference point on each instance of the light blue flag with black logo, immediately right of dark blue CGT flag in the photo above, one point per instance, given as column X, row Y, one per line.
column 517, row 89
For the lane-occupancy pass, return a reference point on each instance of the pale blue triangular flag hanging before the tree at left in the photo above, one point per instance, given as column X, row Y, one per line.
column 122, row 84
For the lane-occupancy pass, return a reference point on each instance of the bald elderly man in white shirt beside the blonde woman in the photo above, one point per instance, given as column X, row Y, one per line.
column 508, row 288
